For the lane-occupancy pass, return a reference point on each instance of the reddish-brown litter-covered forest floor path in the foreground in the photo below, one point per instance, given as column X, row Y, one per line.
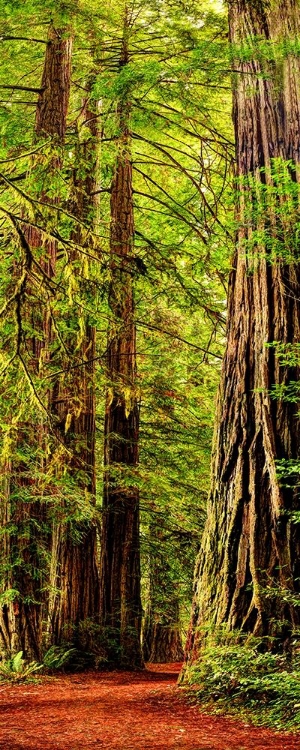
column 121, row 711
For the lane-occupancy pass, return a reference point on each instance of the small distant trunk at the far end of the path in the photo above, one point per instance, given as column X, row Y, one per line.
column 161, row 630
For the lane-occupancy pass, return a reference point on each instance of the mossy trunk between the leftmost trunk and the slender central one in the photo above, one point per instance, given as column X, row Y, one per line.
column 74, row 568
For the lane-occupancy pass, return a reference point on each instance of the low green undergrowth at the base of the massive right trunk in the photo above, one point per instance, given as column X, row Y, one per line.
column 245, row 678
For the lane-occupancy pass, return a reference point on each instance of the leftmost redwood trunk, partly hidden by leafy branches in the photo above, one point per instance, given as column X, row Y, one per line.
column 23, row 515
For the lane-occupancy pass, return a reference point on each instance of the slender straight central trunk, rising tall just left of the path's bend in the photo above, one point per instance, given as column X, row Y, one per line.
column 120, row 601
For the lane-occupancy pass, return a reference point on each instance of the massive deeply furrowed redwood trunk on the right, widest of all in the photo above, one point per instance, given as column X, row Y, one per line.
column 248, row 568
